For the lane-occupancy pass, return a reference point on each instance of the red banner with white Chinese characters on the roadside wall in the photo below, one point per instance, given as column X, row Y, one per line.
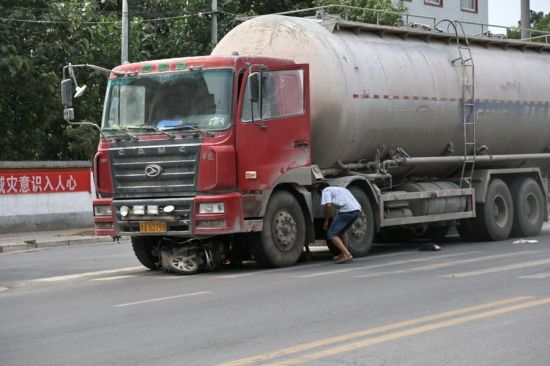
column 44, row 181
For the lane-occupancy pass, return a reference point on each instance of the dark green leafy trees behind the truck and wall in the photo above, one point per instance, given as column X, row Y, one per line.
column 39, row 37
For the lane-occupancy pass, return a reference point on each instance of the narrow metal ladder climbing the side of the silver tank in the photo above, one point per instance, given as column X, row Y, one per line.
column 466, row 61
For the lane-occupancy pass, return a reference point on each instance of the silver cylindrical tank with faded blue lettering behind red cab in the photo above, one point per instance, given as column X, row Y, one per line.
column 379, row 88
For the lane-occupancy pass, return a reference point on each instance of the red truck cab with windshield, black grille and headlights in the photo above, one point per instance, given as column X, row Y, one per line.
column 191, row 149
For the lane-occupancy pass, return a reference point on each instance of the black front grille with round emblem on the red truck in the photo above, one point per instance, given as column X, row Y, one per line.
column 154, row 170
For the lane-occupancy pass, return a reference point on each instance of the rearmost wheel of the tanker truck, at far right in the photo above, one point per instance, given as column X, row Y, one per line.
column 528, row 207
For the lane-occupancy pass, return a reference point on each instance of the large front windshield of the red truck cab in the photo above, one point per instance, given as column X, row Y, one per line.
column 169, row 101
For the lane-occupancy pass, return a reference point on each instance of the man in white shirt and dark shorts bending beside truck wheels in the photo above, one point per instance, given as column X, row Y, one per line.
column 348, row 211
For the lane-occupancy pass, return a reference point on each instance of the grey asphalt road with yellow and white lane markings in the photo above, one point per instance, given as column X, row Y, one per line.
column 468, row 304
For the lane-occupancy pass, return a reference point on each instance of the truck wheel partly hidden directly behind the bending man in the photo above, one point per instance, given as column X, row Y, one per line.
column 361, row 233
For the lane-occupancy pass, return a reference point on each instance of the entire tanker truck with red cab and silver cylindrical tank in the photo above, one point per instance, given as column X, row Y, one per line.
column 207, row 159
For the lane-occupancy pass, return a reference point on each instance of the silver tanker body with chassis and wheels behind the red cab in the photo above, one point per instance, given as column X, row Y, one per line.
column 428, row 129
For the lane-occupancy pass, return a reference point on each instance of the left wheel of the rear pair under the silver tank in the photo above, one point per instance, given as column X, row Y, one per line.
column 496, row 216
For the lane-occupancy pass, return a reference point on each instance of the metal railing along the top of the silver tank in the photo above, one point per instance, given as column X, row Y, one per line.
column 406, row 19
